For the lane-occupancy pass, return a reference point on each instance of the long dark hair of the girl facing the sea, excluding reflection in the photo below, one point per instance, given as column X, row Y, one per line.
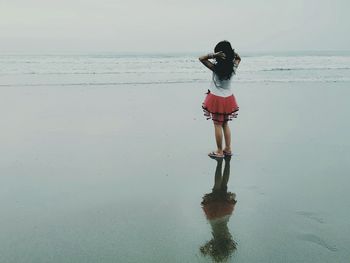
column 224, row 67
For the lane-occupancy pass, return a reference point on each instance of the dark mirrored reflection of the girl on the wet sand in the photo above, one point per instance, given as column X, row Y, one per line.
column 218, row 207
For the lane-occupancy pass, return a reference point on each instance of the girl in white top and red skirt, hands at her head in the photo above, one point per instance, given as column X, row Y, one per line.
column 220, row 104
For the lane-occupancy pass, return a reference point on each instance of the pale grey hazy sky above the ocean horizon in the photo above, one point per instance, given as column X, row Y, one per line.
column 172, row 26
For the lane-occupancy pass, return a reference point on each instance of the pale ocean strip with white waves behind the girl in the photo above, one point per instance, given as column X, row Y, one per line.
column 138, row 69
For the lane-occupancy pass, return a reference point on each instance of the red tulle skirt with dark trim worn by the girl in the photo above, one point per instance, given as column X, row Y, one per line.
column 220, row 109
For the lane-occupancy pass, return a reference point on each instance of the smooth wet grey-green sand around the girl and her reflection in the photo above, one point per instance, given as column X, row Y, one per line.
column 103, row 174
